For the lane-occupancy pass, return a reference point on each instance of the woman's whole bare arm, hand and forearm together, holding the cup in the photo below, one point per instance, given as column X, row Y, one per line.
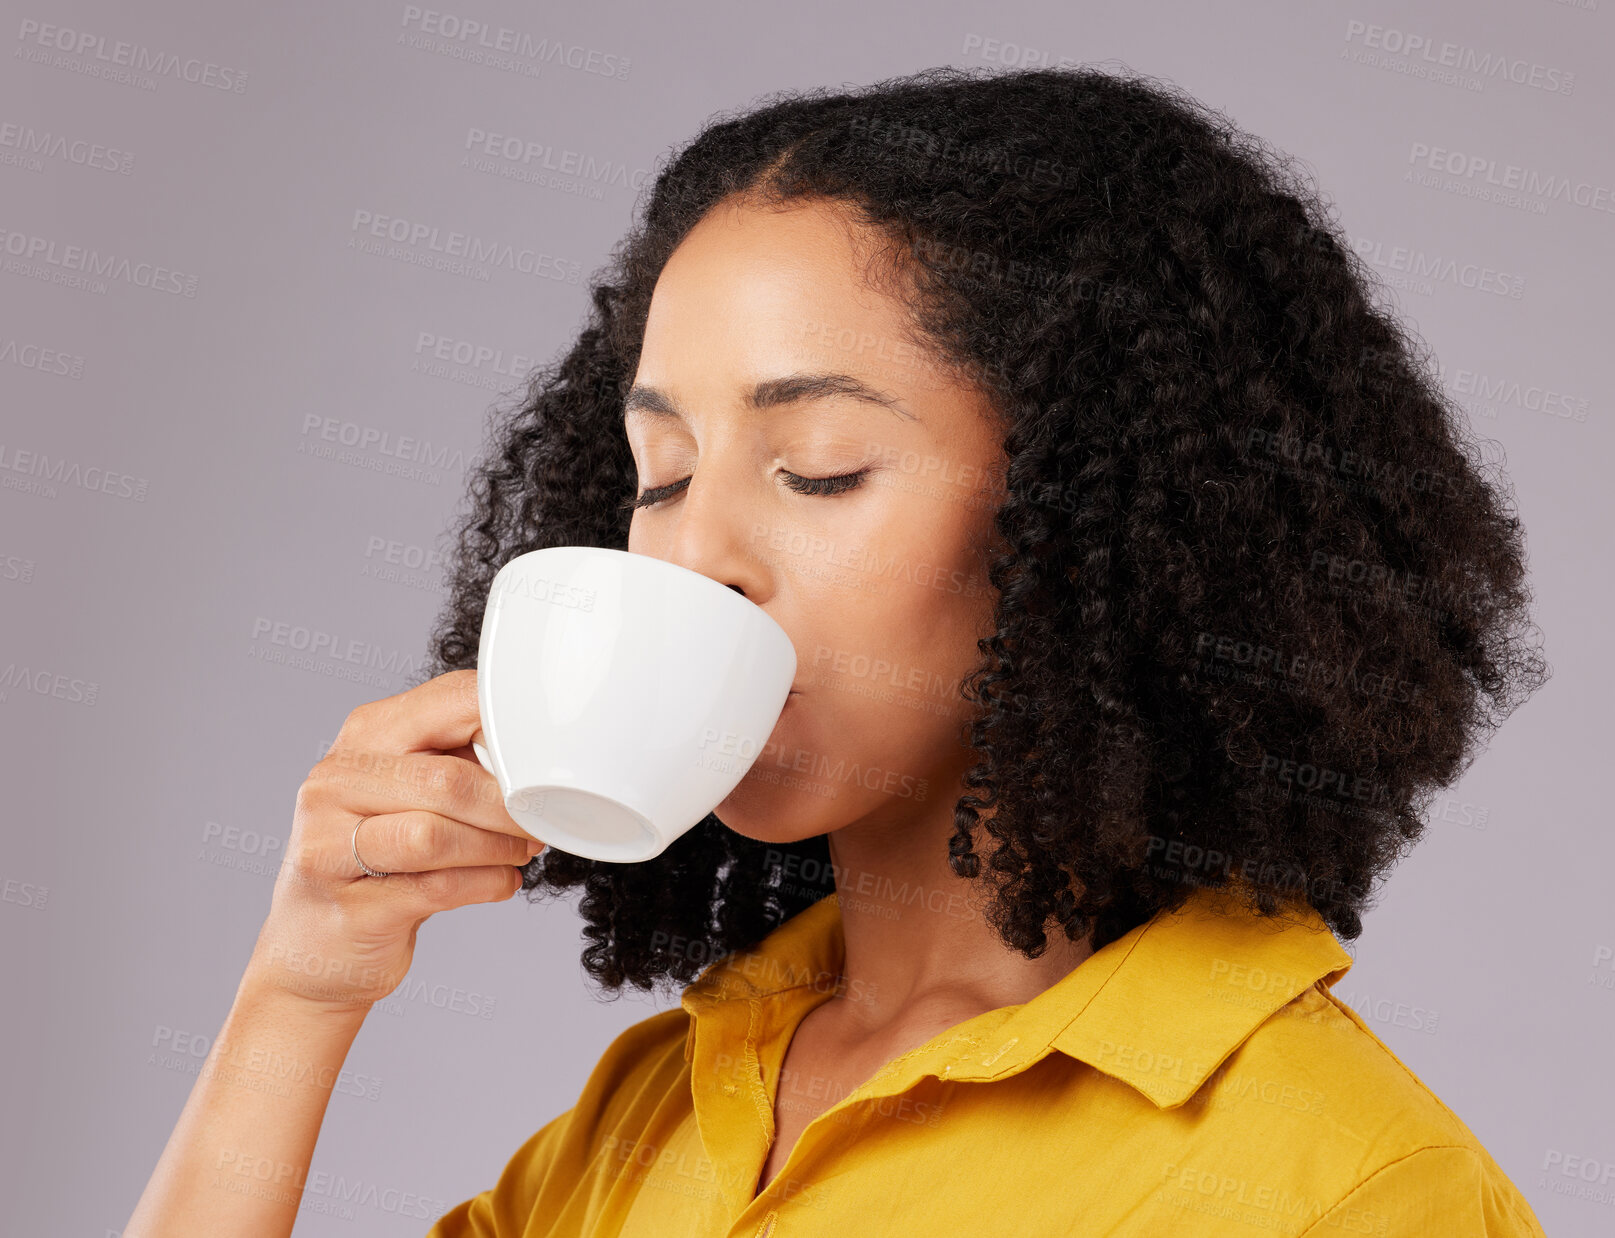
column 333, row 943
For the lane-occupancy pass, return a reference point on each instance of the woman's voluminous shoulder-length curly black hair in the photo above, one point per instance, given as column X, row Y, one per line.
column 1259, row 596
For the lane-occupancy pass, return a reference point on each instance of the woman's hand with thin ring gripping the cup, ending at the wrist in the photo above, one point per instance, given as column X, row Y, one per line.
column 434, row 821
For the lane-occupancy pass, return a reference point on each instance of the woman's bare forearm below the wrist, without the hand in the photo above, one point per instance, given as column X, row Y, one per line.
column 240, row 1155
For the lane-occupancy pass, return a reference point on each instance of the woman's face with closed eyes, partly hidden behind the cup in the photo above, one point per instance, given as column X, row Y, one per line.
column 879, row 579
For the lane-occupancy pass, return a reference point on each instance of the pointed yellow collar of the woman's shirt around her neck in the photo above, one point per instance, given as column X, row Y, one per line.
column 1160, row 1008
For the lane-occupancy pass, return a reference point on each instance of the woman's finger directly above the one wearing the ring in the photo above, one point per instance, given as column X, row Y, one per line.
column 369, row 784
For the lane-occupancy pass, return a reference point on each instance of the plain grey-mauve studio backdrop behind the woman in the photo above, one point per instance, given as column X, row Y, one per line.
column 175, row 519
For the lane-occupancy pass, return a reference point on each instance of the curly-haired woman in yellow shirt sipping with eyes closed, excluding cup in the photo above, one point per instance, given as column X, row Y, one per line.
column 1143, row 588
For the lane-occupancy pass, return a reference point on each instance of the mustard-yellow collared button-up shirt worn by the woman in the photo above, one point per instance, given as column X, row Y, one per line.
column 1194, row 1077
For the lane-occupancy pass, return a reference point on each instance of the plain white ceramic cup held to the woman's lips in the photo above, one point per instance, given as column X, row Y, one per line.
column 623, row 696
